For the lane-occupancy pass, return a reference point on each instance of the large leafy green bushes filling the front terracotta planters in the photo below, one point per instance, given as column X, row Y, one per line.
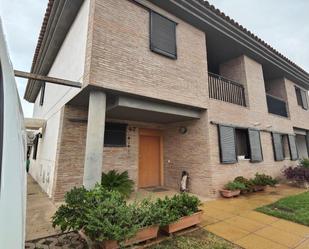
column 104, row 215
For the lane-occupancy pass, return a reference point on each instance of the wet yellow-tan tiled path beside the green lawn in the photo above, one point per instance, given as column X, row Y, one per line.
column 235, row 220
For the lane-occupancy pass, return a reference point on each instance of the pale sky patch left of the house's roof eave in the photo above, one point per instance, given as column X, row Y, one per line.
column 22, row 22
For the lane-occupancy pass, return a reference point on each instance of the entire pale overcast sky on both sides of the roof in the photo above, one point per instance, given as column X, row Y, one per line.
column 284, row 24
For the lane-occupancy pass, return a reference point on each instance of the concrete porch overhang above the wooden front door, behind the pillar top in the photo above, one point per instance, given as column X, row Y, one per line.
column 124, row 106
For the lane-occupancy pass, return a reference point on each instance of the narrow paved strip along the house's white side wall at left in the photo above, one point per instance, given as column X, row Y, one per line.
column 40, row 209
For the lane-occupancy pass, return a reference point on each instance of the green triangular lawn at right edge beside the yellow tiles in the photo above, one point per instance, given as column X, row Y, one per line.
column 294, row 208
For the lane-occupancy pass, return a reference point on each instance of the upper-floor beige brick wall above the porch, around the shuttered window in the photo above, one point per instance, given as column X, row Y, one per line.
column 120, row 58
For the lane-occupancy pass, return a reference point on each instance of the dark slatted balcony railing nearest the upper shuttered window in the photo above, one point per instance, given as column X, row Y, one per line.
column 226, row 90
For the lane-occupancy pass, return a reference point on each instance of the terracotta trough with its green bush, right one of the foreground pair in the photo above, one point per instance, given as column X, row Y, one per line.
column 179, row 212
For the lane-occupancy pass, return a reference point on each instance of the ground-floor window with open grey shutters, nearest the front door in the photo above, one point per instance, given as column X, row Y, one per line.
column 236, row 142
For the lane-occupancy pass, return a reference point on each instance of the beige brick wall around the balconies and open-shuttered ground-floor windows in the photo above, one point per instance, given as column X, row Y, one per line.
column 250, row 74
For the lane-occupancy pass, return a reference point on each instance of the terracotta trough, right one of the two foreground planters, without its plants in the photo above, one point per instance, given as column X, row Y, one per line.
column 184, row 222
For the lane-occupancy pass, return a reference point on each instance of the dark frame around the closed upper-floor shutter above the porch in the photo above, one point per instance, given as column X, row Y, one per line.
column 156, row 49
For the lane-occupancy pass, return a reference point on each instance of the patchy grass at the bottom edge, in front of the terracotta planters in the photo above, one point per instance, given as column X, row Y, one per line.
column 199, row 239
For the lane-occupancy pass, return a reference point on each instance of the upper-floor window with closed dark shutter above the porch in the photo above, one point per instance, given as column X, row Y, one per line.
column 163, row 35
